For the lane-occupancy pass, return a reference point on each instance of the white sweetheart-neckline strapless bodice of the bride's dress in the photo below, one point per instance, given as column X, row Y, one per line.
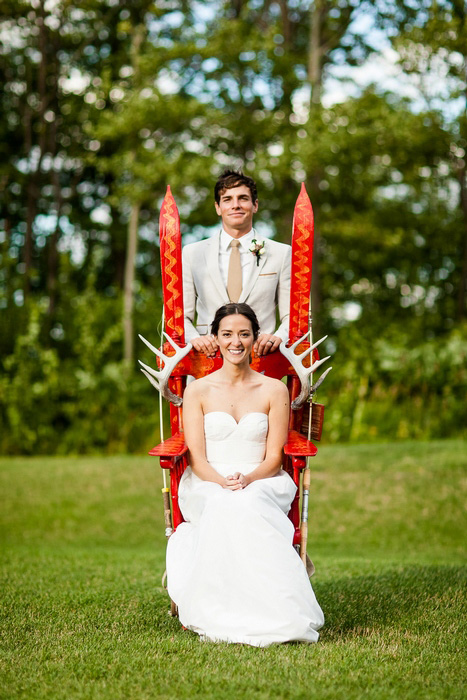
column 229, row 442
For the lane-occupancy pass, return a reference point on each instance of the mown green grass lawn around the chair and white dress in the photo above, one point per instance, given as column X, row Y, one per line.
column 84, row 614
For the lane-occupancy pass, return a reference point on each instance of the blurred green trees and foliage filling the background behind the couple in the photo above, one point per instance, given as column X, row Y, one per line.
column 105, row 103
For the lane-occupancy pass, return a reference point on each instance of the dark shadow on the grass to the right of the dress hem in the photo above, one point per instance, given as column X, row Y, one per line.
column 409, row 598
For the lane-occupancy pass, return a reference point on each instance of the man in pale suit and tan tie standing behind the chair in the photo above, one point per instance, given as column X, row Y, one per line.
column 230, row 267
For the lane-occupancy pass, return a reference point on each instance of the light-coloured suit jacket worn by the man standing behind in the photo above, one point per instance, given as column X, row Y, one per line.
column 204, row 291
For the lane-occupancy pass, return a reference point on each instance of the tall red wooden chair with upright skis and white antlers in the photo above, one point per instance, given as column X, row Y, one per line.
column 180, row 360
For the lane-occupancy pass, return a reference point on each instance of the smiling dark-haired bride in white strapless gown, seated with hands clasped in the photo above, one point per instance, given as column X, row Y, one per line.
column 231, row 567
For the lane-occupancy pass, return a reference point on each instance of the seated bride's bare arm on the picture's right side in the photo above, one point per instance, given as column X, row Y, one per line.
column 277, row 436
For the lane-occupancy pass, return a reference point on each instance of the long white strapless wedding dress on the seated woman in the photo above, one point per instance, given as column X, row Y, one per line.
column 231, row 567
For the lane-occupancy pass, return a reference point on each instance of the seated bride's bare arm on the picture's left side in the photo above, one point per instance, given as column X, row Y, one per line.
column 193, row 424
